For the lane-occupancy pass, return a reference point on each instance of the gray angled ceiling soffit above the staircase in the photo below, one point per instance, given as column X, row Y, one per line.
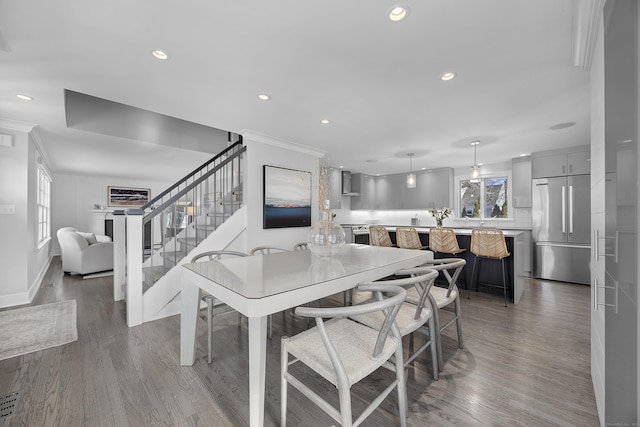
column 93, row 114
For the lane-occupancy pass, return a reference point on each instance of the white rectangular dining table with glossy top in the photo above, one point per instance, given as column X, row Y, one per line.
column 260, row 285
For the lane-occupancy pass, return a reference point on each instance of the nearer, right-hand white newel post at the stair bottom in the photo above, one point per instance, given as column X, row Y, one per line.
column 134, row 269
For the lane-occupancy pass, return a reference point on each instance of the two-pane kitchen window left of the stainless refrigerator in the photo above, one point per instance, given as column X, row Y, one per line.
column 484, row 198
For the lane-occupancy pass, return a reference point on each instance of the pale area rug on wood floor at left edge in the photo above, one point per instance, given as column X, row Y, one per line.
column 25, row 330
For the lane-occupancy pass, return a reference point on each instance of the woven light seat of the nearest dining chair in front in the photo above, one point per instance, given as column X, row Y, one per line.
column 354, row 343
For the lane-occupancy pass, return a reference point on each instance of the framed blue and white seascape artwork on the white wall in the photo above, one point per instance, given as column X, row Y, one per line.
column 287, row 198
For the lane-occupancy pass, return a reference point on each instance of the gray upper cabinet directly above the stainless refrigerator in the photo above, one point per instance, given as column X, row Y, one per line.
column 561, row 162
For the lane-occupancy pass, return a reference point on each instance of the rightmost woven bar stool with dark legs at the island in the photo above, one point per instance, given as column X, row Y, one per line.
column 489, row 243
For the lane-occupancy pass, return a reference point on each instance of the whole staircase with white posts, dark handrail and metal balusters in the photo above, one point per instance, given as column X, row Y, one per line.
column 204, row 210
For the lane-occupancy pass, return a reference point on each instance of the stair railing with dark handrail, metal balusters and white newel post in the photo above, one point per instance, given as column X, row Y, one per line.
column 162, row 232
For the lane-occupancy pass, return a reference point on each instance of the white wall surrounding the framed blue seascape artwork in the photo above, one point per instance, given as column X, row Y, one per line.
column 262, row 150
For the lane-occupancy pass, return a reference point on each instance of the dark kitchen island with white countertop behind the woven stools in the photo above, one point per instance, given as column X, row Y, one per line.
column 490, row 271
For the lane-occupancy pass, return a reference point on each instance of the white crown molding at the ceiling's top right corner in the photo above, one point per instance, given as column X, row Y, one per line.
column 585, row 27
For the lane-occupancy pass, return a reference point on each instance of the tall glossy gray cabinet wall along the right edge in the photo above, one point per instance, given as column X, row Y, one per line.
column 614, row 219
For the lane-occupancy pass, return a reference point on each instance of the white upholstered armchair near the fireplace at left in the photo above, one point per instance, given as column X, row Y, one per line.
column 84, row 253
